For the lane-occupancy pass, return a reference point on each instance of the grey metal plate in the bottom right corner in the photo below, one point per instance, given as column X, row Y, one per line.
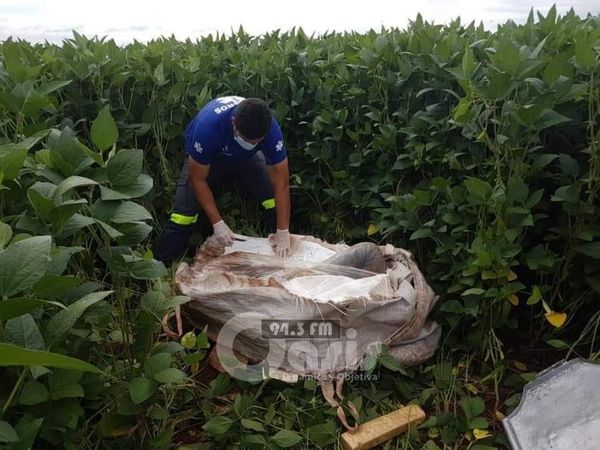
column 560, row 409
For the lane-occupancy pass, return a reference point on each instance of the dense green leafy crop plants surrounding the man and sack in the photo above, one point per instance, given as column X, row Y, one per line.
column 477, row 150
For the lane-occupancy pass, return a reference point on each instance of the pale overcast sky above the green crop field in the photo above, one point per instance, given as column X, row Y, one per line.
column 125, row 20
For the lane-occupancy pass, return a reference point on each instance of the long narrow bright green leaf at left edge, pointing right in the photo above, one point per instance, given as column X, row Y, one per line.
column 11, row 355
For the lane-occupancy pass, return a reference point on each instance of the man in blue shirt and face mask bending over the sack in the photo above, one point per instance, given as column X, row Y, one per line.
column 239, row 138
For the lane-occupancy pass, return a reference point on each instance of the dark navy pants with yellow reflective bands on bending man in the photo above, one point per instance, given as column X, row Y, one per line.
column 252, row 177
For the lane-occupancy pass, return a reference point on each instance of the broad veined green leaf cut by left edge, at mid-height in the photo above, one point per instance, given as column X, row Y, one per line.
column 23, row 263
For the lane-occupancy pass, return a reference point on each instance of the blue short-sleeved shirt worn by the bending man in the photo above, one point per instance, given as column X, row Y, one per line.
column 209, row 136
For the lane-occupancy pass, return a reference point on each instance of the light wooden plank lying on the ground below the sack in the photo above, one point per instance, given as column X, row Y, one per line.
column 384, row 428
